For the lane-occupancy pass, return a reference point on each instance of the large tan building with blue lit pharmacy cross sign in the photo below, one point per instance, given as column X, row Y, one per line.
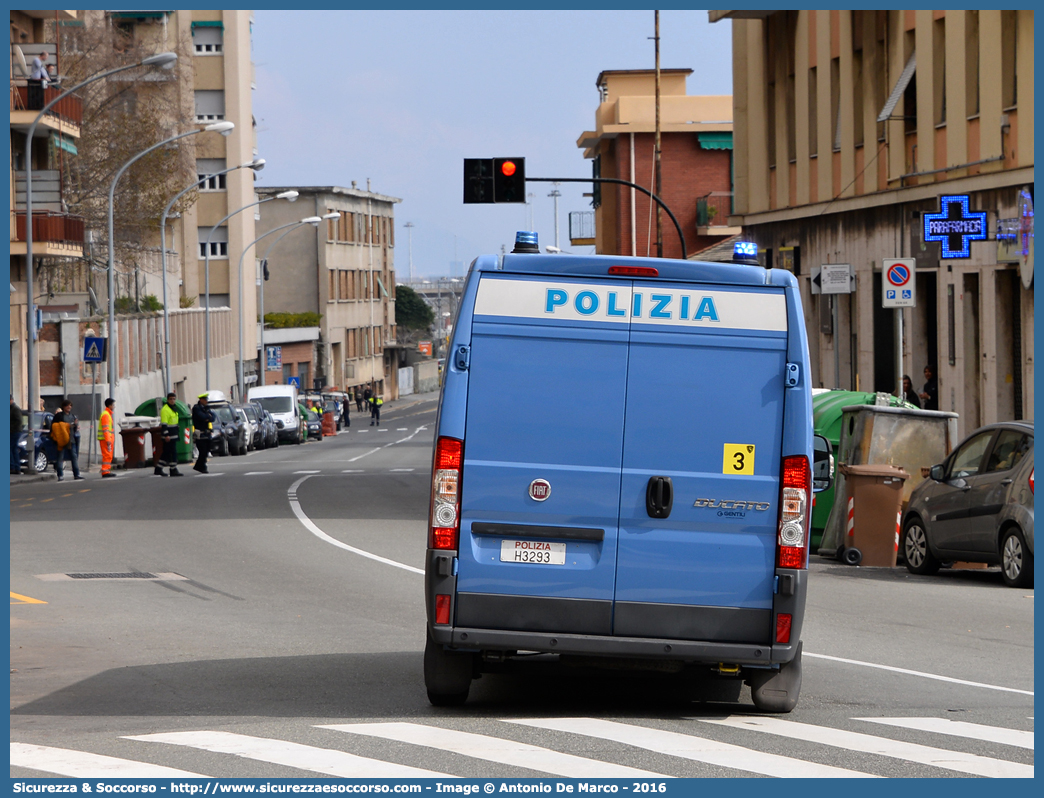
column 862, row 136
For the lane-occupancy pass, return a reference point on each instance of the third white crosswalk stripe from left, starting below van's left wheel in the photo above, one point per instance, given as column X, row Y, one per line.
column 495, row 750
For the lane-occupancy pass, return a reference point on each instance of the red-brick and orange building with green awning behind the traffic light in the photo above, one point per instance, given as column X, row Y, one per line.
column 696, row 163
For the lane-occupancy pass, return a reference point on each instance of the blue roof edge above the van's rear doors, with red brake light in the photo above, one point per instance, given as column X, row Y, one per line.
column 599, row 266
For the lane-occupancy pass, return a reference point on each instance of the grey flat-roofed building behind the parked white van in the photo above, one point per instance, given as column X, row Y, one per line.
column 344, row 272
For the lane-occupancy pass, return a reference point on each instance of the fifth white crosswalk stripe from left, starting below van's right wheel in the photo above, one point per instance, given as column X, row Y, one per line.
column 853, row 741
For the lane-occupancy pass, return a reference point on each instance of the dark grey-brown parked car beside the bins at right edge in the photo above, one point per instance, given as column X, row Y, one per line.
column 978, row 506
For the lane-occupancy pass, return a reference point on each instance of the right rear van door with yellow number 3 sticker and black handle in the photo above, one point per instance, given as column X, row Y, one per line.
column 705, row 410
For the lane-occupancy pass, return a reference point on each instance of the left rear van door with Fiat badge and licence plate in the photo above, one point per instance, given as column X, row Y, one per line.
column 542, row 456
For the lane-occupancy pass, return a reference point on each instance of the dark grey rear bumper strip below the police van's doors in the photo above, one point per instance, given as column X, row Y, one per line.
column 485, row 640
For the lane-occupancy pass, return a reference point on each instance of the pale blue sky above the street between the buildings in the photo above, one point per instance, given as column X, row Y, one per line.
column 404, row 98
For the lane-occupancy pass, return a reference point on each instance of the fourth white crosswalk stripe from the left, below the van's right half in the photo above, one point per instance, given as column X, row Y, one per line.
column 692, row 747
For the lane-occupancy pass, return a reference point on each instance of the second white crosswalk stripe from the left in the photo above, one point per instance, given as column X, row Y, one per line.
column 291, row 755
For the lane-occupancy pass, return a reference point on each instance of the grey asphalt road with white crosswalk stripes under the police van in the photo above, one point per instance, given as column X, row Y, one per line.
column 287, row 601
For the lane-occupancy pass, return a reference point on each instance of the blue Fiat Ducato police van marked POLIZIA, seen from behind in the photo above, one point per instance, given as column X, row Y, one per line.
column 623, row 470
